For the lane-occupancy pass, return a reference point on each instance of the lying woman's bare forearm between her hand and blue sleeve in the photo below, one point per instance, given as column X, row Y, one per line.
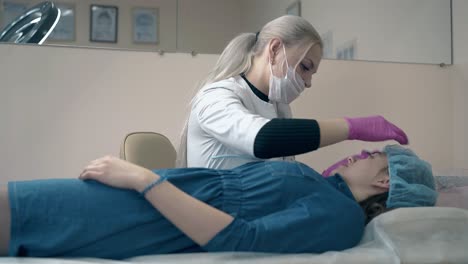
column 198, row 220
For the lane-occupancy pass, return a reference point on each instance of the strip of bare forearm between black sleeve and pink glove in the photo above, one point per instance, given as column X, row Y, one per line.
column 333, row 131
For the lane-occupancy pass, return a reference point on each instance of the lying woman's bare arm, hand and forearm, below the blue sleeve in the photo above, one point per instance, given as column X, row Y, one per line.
column 199, row 221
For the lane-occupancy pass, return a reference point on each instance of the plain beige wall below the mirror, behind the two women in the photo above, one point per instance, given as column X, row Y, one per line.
column 61, row 107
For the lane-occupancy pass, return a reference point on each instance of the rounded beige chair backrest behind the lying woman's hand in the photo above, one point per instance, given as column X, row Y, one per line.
column 148, row 149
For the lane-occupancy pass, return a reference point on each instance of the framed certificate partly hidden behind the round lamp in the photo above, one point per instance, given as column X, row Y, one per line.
column 65, row 28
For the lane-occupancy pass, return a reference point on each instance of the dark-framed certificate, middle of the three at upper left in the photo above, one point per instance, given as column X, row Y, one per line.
column 104, row 22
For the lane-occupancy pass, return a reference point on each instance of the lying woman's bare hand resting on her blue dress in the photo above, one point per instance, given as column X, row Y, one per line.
column 115, row 172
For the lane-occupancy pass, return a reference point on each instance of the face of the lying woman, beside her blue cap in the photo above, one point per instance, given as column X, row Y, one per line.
column 364, row 171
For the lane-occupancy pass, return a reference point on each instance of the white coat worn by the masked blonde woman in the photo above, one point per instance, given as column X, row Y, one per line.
column 224, row 121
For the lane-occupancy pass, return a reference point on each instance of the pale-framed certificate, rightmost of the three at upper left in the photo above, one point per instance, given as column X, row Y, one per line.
column 145, row 25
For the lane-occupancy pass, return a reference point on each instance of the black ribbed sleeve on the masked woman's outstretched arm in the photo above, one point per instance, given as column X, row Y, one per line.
column 286, row 137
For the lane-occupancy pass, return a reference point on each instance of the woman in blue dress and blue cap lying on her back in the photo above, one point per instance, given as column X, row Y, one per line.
column 118, row 210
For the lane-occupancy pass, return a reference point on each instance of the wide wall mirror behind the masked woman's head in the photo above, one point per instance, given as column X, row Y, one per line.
column 417, row 31
